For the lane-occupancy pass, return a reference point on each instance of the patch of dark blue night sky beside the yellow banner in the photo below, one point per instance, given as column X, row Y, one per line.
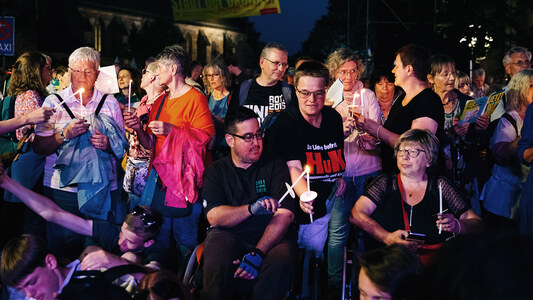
column 293, row 25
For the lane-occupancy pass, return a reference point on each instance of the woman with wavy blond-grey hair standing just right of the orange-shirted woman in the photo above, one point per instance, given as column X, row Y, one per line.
column 218, row 81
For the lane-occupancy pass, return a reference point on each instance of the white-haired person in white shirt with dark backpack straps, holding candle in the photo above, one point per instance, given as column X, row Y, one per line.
column 61, row 128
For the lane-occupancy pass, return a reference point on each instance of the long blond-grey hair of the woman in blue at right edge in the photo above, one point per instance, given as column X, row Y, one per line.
column 517, row 90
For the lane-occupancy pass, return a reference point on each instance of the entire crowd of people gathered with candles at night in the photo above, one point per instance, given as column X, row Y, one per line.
column 257, row 172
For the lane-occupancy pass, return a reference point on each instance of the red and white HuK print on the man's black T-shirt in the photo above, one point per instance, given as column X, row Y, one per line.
column 326, row 162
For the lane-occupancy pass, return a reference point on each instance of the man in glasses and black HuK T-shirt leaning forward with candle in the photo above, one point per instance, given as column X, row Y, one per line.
column 312, row 135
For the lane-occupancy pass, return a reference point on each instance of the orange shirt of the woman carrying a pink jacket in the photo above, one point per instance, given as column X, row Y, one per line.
column 190, row 109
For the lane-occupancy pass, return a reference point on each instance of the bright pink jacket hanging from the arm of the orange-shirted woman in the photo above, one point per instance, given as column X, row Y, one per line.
column 180, row 165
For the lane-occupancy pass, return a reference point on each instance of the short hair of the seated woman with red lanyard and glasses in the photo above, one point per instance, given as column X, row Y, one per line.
column 427, row 141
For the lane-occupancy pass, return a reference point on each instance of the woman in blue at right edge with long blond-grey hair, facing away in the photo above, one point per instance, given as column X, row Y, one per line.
column 502, row 191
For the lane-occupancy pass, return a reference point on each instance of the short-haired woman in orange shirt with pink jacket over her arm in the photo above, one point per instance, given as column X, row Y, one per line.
column 185, row 108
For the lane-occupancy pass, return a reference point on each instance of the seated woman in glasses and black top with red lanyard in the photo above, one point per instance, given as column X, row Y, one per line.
column 395, row 205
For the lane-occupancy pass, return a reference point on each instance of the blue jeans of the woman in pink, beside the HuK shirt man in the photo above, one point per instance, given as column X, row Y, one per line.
column 339, row 224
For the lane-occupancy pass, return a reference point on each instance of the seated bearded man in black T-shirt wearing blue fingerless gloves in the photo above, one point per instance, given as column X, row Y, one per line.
column 242, row 192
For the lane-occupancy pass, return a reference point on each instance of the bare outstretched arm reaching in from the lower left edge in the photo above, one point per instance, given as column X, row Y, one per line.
column 46, row 208
